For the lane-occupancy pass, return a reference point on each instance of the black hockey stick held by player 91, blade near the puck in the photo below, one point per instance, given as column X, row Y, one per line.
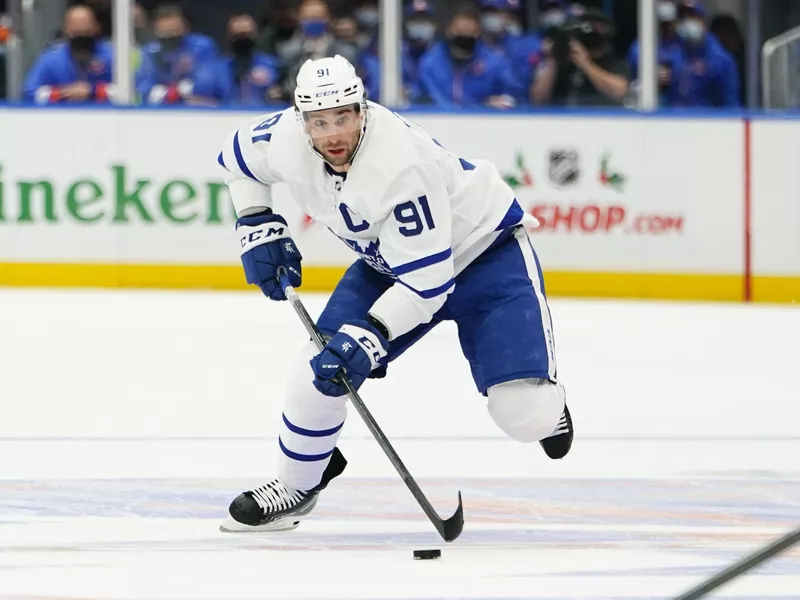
column 450, row 528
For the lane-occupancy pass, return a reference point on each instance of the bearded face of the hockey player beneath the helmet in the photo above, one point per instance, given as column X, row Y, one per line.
column 335, row 133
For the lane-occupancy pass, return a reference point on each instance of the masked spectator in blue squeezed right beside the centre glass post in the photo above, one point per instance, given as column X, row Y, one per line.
column 420, row 28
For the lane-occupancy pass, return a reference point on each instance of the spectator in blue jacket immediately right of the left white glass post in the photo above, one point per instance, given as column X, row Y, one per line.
column 172, row 63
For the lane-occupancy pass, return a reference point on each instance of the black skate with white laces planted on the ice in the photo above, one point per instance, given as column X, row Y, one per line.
column 277, row 507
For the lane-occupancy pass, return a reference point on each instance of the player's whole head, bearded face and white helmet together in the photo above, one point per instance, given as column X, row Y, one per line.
column 330, row 104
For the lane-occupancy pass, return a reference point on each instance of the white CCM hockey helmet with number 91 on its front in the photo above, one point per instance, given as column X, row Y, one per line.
column 327, row 83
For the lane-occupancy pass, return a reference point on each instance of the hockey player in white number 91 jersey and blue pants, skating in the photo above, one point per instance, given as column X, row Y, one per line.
column 439, row 238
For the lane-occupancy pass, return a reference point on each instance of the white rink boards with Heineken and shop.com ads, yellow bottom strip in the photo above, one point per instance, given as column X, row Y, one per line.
column 630, row 207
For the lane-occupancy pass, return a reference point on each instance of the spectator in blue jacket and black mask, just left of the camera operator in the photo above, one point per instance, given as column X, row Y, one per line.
column 462, row 71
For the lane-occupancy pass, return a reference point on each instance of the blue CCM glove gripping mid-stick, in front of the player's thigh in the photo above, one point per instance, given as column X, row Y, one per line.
column 356, row 350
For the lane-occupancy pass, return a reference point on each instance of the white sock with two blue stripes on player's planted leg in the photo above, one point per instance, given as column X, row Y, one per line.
column 311, row 425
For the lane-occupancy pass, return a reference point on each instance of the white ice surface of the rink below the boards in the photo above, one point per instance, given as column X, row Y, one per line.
column 129, row 421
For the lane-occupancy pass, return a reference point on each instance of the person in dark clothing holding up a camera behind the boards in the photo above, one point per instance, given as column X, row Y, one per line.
column 579, row 68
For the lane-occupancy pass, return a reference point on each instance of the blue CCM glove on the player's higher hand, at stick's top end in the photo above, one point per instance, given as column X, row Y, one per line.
column 266, row 245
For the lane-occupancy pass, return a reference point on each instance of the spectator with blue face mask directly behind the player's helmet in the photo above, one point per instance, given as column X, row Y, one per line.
column 316, row 41
